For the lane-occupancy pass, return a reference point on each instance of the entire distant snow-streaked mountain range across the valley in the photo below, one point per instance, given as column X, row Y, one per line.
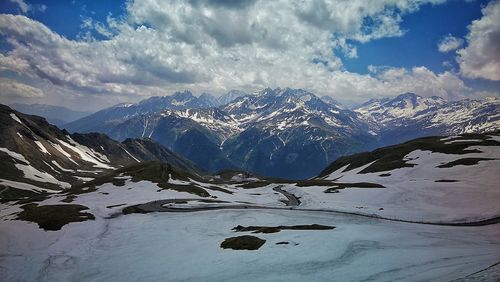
column 286, row 133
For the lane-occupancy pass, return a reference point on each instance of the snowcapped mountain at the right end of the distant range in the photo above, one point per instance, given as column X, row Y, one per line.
column 408, row 116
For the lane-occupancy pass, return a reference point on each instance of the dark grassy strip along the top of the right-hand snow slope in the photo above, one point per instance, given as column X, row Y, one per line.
column 392, row 157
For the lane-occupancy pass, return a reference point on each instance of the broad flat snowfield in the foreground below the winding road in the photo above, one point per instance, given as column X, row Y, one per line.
column 185, row 246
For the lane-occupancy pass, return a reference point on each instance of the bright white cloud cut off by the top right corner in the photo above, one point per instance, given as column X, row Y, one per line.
column 481, row 57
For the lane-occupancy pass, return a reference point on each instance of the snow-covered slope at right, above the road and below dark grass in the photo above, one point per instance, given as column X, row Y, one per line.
column 418, row 193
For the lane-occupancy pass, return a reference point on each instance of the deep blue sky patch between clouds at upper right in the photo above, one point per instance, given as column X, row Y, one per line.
column 418, row 46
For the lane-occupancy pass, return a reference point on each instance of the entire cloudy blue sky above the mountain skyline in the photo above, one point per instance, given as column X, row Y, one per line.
column 93, row 54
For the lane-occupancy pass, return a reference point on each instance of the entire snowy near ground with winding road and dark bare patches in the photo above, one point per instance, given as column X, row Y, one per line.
column 434, row 199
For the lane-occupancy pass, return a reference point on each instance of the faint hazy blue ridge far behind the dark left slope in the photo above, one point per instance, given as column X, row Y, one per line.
column 54, row 114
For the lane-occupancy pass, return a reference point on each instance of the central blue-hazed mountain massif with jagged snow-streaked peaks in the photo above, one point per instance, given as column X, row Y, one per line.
column 287, row 133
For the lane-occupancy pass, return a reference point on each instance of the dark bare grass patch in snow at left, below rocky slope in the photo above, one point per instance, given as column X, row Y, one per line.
column 54, row 217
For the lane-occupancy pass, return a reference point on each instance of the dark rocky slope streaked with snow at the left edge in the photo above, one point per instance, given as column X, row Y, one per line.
column 38, row 156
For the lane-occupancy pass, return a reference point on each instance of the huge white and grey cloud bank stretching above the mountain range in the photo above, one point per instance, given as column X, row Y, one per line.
column 162, row 46
